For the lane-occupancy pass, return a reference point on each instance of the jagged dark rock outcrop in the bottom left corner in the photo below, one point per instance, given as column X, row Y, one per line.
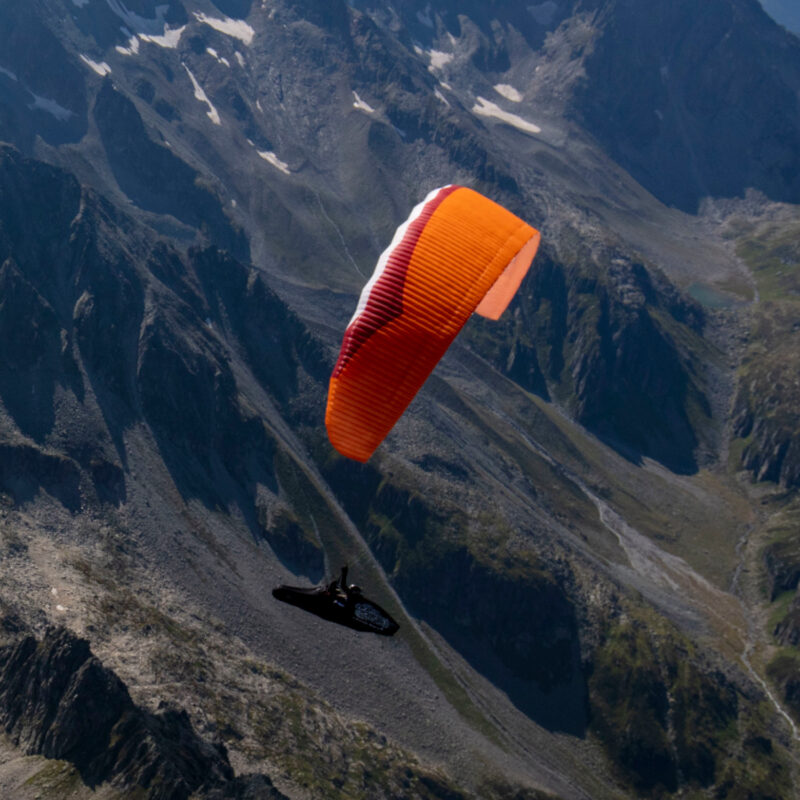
column 59, row 701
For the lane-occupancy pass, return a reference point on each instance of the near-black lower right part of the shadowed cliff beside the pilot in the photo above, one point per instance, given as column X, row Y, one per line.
column 517, row 626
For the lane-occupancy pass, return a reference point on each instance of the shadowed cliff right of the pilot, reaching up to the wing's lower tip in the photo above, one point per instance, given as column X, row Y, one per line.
column 510, row 617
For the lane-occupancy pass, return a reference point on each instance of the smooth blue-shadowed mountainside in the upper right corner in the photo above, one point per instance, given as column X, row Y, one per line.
column 705, row 108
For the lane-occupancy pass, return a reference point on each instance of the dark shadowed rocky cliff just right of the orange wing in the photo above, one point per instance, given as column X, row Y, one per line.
column 603, row 335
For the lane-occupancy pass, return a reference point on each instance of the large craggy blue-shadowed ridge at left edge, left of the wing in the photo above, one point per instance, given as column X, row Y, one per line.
column 94, row 310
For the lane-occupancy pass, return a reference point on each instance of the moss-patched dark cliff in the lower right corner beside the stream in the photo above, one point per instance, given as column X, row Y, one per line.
column 669, row 721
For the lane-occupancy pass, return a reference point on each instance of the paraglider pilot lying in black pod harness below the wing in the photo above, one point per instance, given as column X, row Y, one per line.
column 342, row 603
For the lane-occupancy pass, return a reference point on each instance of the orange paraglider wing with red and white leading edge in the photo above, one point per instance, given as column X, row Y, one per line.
column 457, row 253
